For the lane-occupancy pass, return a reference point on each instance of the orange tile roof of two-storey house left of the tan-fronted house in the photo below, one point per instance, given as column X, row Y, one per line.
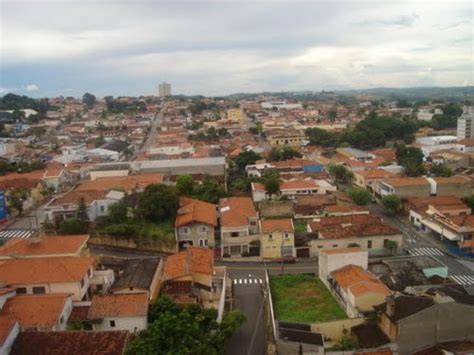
column 195, row 211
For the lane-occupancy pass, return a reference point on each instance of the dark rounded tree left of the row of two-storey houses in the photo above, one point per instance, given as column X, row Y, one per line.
column 157, row 203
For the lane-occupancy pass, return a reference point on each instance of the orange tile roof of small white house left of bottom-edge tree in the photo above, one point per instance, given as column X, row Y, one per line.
column 118, row 305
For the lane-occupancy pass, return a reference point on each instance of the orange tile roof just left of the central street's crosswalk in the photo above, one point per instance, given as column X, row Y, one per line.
column 190, row 261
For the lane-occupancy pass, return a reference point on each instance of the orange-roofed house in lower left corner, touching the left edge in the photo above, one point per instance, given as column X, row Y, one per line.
column 46, row 312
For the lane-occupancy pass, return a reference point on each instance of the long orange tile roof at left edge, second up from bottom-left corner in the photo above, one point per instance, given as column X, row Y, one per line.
column 44, row 270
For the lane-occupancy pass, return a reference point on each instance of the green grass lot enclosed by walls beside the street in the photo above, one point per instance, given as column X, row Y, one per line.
column 303, row 299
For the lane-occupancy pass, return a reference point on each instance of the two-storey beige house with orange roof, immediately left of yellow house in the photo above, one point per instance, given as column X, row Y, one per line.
column 239, row 225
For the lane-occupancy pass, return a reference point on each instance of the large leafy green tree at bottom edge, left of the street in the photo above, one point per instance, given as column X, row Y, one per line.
column 193, row 330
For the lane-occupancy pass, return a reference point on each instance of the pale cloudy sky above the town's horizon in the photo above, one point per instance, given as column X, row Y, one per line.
column 221, row 47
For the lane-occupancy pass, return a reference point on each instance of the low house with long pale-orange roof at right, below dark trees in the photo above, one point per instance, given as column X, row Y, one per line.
column 405, row 187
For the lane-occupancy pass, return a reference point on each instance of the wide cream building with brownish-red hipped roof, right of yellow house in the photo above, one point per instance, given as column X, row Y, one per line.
column 364, row 230
